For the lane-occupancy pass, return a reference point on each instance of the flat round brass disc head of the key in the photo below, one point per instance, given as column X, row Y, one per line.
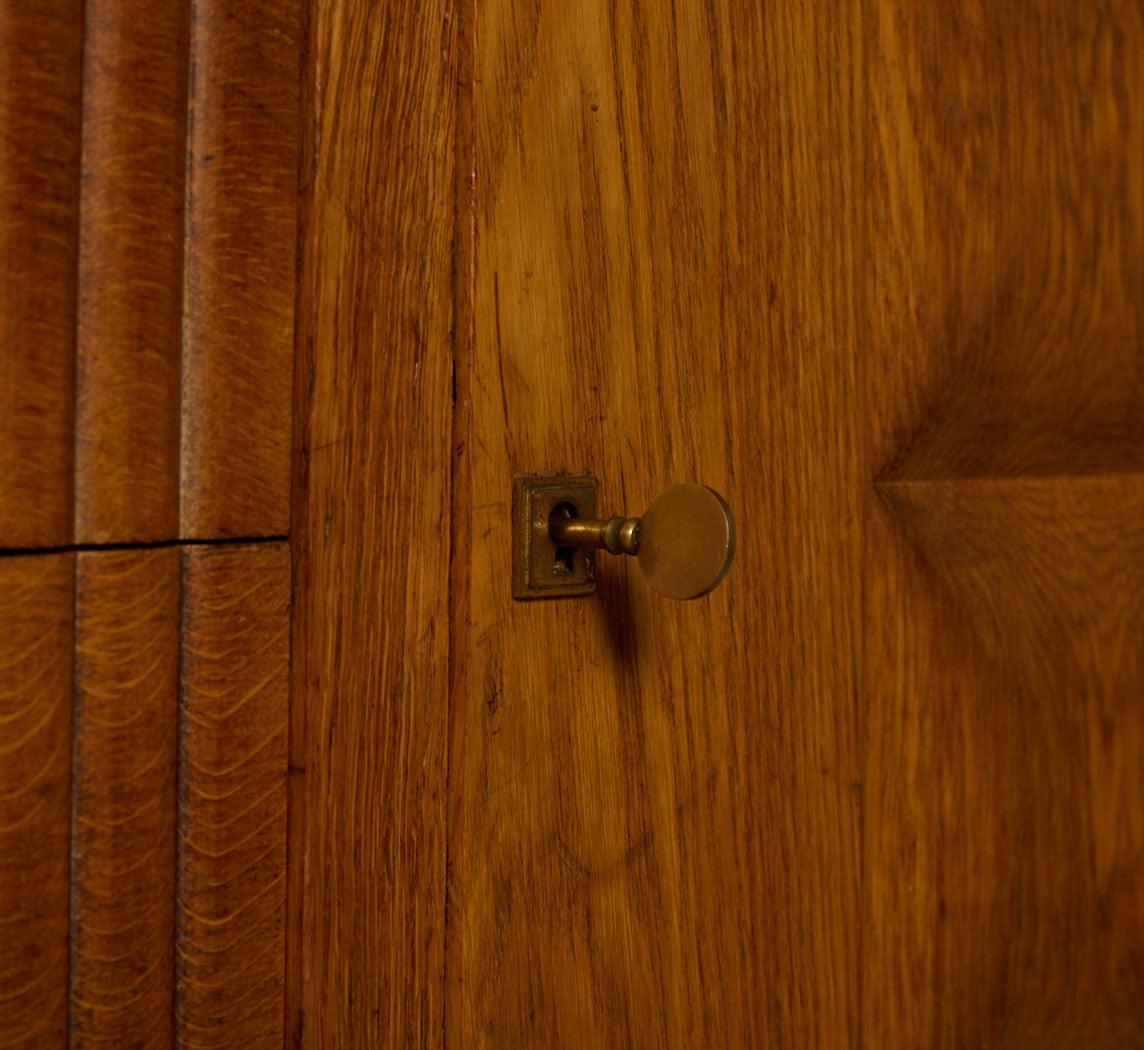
column 687, row 542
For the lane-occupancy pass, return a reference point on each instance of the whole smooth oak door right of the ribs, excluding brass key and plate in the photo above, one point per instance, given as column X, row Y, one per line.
column 872, row 271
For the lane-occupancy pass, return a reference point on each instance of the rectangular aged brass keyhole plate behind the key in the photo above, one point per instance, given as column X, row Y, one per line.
column 541, row 569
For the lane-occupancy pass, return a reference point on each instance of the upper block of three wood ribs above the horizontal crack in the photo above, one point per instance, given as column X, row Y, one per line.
column 147, row 313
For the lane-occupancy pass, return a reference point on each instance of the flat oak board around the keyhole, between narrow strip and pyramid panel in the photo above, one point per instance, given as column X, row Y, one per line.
column 655, row 807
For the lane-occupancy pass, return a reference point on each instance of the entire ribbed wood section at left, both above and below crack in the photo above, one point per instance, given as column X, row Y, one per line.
column 148, row 224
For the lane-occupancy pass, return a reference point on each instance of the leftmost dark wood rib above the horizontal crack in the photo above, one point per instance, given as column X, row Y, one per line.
column 41, row 49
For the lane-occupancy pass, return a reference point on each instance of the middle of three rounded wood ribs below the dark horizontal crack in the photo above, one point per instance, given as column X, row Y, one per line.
column 124, row 810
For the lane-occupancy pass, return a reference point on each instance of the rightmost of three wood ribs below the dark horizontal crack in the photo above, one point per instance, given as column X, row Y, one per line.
column 233, row 797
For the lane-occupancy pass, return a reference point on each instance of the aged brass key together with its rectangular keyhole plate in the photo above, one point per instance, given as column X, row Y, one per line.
column 685, row 543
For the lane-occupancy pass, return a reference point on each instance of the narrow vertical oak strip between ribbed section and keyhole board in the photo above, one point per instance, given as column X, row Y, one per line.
column 372, row 526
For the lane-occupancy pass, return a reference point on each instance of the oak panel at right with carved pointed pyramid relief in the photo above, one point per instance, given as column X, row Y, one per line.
column 1004, row 806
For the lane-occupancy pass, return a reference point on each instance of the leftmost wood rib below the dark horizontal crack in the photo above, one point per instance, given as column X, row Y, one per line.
column 36, row 721
